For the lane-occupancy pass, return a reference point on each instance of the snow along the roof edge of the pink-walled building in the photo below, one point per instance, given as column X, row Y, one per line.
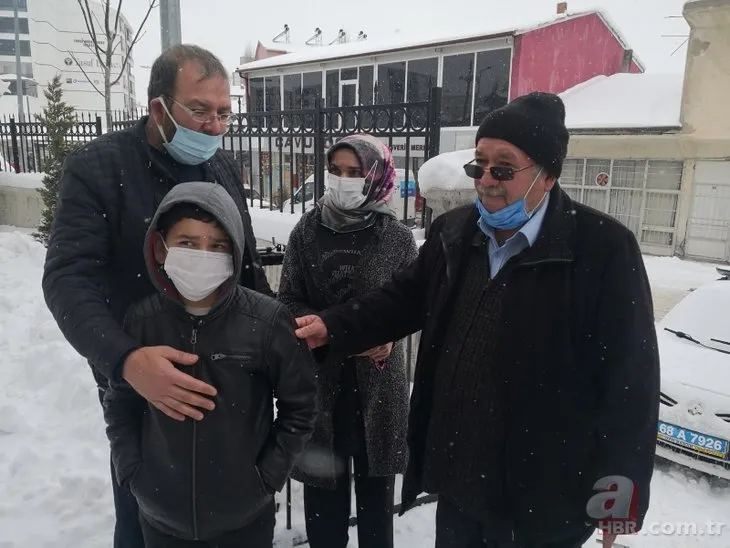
column 399, row 42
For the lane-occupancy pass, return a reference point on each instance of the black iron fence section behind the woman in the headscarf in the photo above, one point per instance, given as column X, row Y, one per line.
column 281, row 153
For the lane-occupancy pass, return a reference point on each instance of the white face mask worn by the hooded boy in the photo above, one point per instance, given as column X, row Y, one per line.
column 197, row 274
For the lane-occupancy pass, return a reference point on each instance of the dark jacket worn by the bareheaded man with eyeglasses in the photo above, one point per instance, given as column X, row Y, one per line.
column 95, row 270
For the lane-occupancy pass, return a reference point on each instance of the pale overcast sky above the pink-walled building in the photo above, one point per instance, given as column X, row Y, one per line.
column 227, row 26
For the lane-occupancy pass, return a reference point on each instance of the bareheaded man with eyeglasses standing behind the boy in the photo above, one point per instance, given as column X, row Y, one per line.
column 109, row 192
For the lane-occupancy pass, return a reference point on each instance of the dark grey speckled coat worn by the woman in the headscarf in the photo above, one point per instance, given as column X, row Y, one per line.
column 384, row 393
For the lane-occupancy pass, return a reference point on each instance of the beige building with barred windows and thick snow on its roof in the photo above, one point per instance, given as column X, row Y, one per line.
column 651, row 150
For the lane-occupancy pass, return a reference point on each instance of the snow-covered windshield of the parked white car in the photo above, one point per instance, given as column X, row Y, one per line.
column 703, row 316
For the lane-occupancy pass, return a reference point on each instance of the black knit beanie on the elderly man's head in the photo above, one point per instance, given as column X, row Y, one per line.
column 534, row 123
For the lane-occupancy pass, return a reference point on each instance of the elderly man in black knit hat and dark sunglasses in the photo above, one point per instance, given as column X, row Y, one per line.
column 537, row 382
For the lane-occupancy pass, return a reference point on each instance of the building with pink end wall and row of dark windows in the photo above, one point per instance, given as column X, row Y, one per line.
column 477, row 73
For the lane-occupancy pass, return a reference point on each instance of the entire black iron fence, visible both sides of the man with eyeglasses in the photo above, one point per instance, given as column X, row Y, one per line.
column 280, row 153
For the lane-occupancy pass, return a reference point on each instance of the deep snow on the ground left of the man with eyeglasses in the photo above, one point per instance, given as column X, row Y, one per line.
column 53, row 451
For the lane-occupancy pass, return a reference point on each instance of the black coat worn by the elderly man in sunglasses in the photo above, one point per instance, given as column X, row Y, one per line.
column 580, row 363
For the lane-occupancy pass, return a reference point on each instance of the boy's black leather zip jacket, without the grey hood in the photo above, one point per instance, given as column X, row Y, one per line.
column 197, row 480
